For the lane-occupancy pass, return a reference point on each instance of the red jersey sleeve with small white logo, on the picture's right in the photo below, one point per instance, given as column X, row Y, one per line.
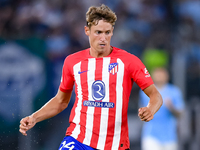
column 140, row 74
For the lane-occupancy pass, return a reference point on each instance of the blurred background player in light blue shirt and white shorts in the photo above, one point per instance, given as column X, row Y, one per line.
column 161, row 132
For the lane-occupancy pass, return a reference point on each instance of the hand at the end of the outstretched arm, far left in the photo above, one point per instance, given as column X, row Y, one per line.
column 26, row 124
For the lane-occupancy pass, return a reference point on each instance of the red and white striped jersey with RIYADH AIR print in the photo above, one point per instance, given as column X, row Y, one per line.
column 102, row 86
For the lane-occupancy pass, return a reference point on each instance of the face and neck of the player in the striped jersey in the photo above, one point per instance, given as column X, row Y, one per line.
column 99, row 37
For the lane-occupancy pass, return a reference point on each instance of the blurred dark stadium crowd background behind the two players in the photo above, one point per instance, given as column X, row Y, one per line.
column 36, row 36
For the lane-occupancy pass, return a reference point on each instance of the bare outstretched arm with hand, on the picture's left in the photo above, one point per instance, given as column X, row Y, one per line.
column 50, row 109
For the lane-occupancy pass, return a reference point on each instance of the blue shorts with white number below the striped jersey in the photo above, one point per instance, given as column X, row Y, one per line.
column 70, row 143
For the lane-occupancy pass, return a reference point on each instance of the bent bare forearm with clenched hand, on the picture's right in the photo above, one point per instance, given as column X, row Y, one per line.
column 155, row 102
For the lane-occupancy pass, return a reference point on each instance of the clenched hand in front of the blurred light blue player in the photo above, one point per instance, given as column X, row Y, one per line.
column 145, row 114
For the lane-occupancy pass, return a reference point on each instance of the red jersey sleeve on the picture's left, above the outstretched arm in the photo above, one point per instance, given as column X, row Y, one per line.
column 67, row 79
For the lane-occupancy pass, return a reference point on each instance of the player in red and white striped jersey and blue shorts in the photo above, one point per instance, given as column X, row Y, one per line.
column 103, row 76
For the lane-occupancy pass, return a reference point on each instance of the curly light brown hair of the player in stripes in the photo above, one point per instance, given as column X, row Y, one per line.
column 94, row 14
